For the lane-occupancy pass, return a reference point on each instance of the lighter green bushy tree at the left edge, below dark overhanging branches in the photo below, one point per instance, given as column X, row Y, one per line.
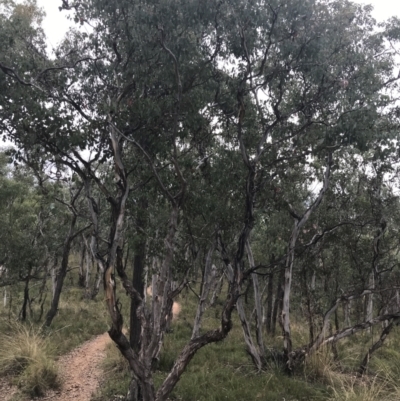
column 24, row 247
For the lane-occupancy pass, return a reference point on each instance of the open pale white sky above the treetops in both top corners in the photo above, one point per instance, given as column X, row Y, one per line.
column 56, row 24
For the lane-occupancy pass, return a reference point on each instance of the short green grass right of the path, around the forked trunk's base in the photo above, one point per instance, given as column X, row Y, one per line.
column 218, row 372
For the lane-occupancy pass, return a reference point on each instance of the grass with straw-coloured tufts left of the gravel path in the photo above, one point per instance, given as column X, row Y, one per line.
column 29, row 352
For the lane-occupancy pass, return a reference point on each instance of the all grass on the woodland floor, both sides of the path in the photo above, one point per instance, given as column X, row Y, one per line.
column 218, row 372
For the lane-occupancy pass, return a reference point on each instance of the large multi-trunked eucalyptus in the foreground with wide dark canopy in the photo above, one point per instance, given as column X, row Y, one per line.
column 248, row 90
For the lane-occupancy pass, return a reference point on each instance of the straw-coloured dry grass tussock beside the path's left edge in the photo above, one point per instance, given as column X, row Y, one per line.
column 26, row 355
